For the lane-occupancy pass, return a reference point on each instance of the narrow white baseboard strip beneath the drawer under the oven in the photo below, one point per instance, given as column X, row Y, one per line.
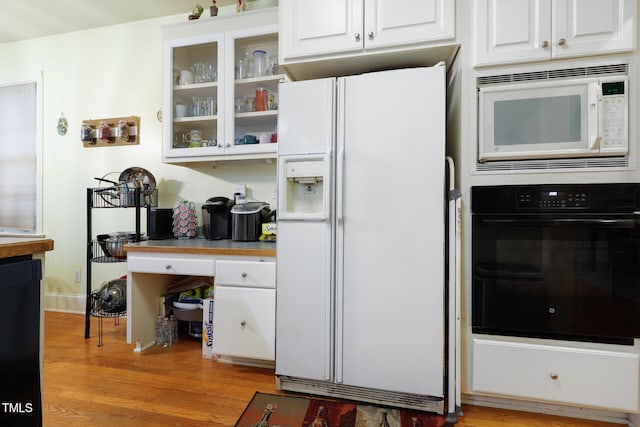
column 551, row 409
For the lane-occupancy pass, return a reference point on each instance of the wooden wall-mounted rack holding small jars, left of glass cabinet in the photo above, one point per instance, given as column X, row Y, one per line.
column 110, row 131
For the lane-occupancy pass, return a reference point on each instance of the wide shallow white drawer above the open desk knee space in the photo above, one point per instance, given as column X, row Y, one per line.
column 196, row 265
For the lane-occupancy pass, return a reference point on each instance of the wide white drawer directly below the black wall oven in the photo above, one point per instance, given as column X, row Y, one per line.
column 597, row 378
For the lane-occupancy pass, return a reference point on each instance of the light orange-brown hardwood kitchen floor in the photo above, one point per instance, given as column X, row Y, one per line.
column 90, row 386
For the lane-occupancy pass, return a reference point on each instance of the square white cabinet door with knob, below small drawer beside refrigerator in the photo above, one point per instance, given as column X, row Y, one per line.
column 244, row 322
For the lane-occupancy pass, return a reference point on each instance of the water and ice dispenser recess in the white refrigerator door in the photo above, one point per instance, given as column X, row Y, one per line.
column 303, row 188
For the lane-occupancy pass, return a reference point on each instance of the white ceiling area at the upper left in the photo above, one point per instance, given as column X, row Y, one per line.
column 26, row 19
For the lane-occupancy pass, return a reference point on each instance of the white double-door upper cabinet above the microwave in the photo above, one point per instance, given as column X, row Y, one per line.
column 511, row 31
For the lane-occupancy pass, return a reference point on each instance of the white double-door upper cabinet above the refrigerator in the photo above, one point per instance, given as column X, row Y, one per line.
column 337, row 27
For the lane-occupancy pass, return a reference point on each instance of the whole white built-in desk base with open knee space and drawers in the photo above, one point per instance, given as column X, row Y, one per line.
column 244, row 300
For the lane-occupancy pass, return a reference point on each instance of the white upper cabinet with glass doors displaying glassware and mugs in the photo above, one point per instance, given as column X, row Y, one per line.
column 220, row 88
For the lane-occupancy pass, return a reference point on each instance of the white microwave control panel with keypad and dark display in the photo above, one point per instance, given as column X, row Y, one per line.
column 614, row 115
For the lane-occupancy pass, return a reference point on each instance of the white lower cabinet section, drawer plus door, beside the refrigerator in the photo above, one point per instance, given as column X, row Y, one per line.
column 244, row 314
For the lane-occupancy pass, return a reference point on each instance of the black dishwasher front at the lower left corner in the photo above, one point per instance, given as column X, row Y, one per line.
column 20, row 376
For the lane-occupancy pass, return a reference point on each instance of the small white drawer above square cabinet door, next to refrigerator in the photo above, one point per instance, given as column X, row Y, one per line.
column 260, row 274
